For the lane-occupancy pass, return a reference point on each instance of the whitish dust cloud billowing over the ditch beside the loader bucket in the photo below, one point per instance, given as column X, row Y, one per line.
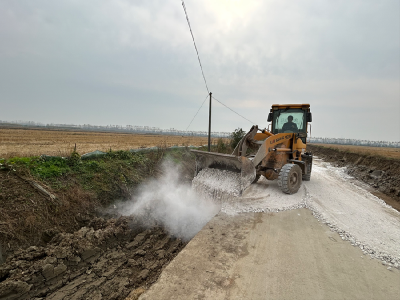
column 170, row 202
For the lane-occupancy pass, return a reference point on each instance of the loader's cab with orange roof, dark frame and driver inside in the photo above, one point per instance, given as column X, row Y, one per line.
column 290, row 118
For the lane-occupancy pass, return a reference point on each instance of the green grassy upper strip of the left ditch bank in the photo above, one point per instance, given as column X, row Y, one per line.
column 107, row 177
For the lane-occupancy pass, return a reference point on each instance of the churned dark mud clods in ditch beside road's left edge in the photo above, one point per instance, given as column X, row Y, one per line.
column 104, row 260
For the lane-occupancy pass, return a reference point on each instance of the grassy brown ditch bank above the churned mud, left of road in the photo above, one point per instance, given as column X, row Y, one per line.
column 81, row 187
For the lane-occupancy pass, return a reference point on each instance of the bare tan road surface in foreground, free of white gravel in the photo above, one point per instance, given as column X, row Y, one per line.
column 285, row 255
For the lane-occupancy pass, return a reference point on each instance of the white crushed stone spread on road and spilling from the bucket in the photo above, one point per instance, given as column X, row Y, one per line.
column 335, row 198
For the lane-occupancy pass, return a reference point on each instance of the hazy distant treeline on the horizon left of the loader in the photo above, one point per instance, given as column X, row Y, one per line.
column 118, row 128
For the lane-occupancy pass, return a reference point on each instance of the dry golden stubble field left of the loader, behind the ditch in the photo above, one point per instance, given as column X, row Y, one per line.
column 33, row 142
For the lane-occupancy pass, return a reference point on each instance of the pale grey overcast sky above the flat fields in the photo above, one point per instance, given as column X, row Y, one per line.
column 133, row 62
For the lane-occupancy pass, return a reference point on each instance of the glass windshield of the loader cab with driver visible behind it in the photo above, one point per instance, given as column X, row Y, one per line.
column 289, row 120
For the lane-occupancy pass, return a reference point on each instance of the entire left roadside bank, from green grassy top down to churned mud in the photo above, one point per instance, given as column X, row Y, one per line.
column 62, row 236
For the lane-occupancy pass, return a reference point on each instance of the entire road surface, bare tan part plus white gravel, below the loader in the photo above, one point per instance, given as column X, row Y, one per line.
column 331, row 240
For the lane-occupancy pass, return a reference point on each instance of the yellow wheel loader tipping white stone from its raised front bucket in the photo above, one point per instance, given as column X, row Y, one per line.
column 278, row 153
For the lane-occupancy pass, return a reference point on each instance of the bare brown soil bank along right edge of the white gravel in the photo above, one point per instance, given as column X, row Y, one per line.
column 381, row 173
